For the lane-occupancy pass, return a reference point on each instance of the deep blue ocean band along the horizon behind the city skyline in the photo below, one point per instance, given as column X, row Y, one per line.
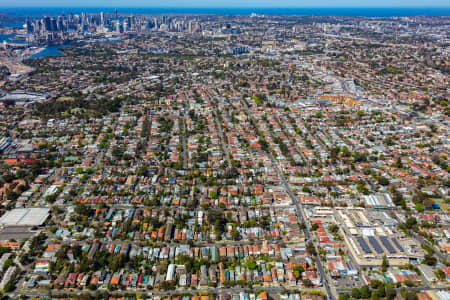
column 360, row 11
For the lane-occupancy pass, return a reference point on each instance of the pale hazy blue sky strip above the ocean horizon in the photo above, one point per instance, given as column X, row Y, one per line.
column 228, row 3
